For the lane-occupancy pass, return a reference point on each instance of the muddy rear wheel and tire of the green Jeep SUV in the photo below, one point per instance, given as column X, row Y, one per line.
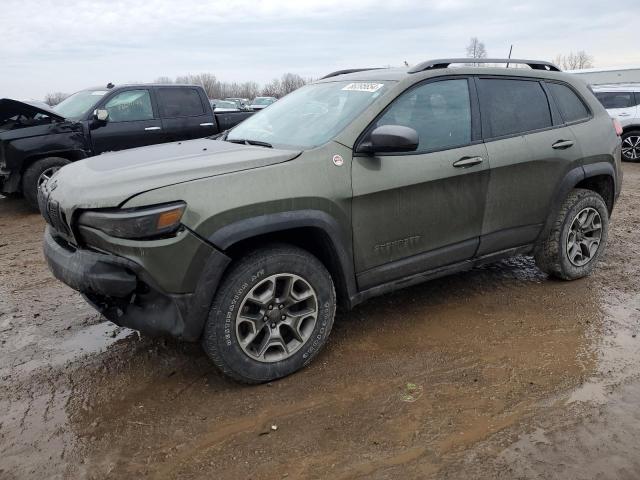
column 577, row 237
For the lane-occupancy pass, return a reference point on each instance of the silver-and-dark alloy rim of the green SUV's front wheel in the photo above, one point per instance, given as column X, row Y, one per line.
column 277, row 317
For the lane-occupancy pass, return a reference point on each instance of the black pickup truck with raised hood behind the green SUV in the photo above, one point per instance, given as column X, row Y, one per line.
column 36, row 140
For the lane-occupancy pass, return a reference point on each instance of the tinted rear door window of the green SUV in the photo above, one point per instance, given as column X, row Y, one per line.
column 513, row 106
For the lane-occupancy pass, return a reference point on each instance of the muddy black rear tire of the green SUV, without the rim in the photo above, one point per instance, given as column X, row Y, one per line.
column 552, row 254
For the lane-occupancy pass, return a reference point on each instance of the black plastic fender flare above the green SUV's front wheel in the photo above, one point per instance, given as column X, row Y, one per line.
column 251, row 227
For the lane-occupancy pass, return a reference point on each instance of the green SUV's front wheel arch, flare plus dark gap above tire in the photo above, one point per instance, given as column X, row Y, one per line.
column 312, row 230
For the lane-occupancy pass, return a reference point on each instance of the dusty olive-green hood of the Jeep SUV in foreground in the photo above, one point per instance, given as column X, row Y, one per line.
column 110, row 179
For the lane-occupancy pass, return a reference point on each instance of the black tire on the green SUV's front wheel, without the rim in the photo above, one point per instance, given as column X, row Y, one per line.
column 220, row 338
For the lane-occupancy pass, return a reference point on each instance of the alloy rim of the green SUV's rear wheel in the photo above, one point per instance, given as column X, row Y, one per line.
column 584, row 236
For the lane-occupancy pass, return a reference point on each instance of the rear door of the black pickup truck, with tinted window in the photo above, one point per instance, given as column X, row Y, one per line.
column 186, row 114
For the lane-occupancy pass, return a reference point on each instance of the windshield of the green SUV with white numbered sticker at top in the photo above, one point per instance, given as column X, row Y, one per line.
column 310, row 116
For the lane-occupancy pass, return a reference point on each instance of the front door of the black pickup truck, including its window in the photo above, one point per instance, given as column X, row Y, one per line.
column 133, row 122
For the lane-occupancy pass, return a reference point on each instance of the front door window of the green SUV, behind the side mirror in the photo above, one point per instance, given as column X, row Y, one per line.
column 439, row 111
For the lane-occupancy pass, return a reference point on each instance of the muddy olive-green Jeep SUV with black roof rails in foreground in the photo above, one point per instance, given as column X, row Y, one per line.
column 393, row 177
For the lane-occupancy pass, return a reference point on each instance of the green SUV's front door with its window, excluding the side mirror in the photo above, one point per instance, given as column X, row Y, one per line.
column 417, row 211
